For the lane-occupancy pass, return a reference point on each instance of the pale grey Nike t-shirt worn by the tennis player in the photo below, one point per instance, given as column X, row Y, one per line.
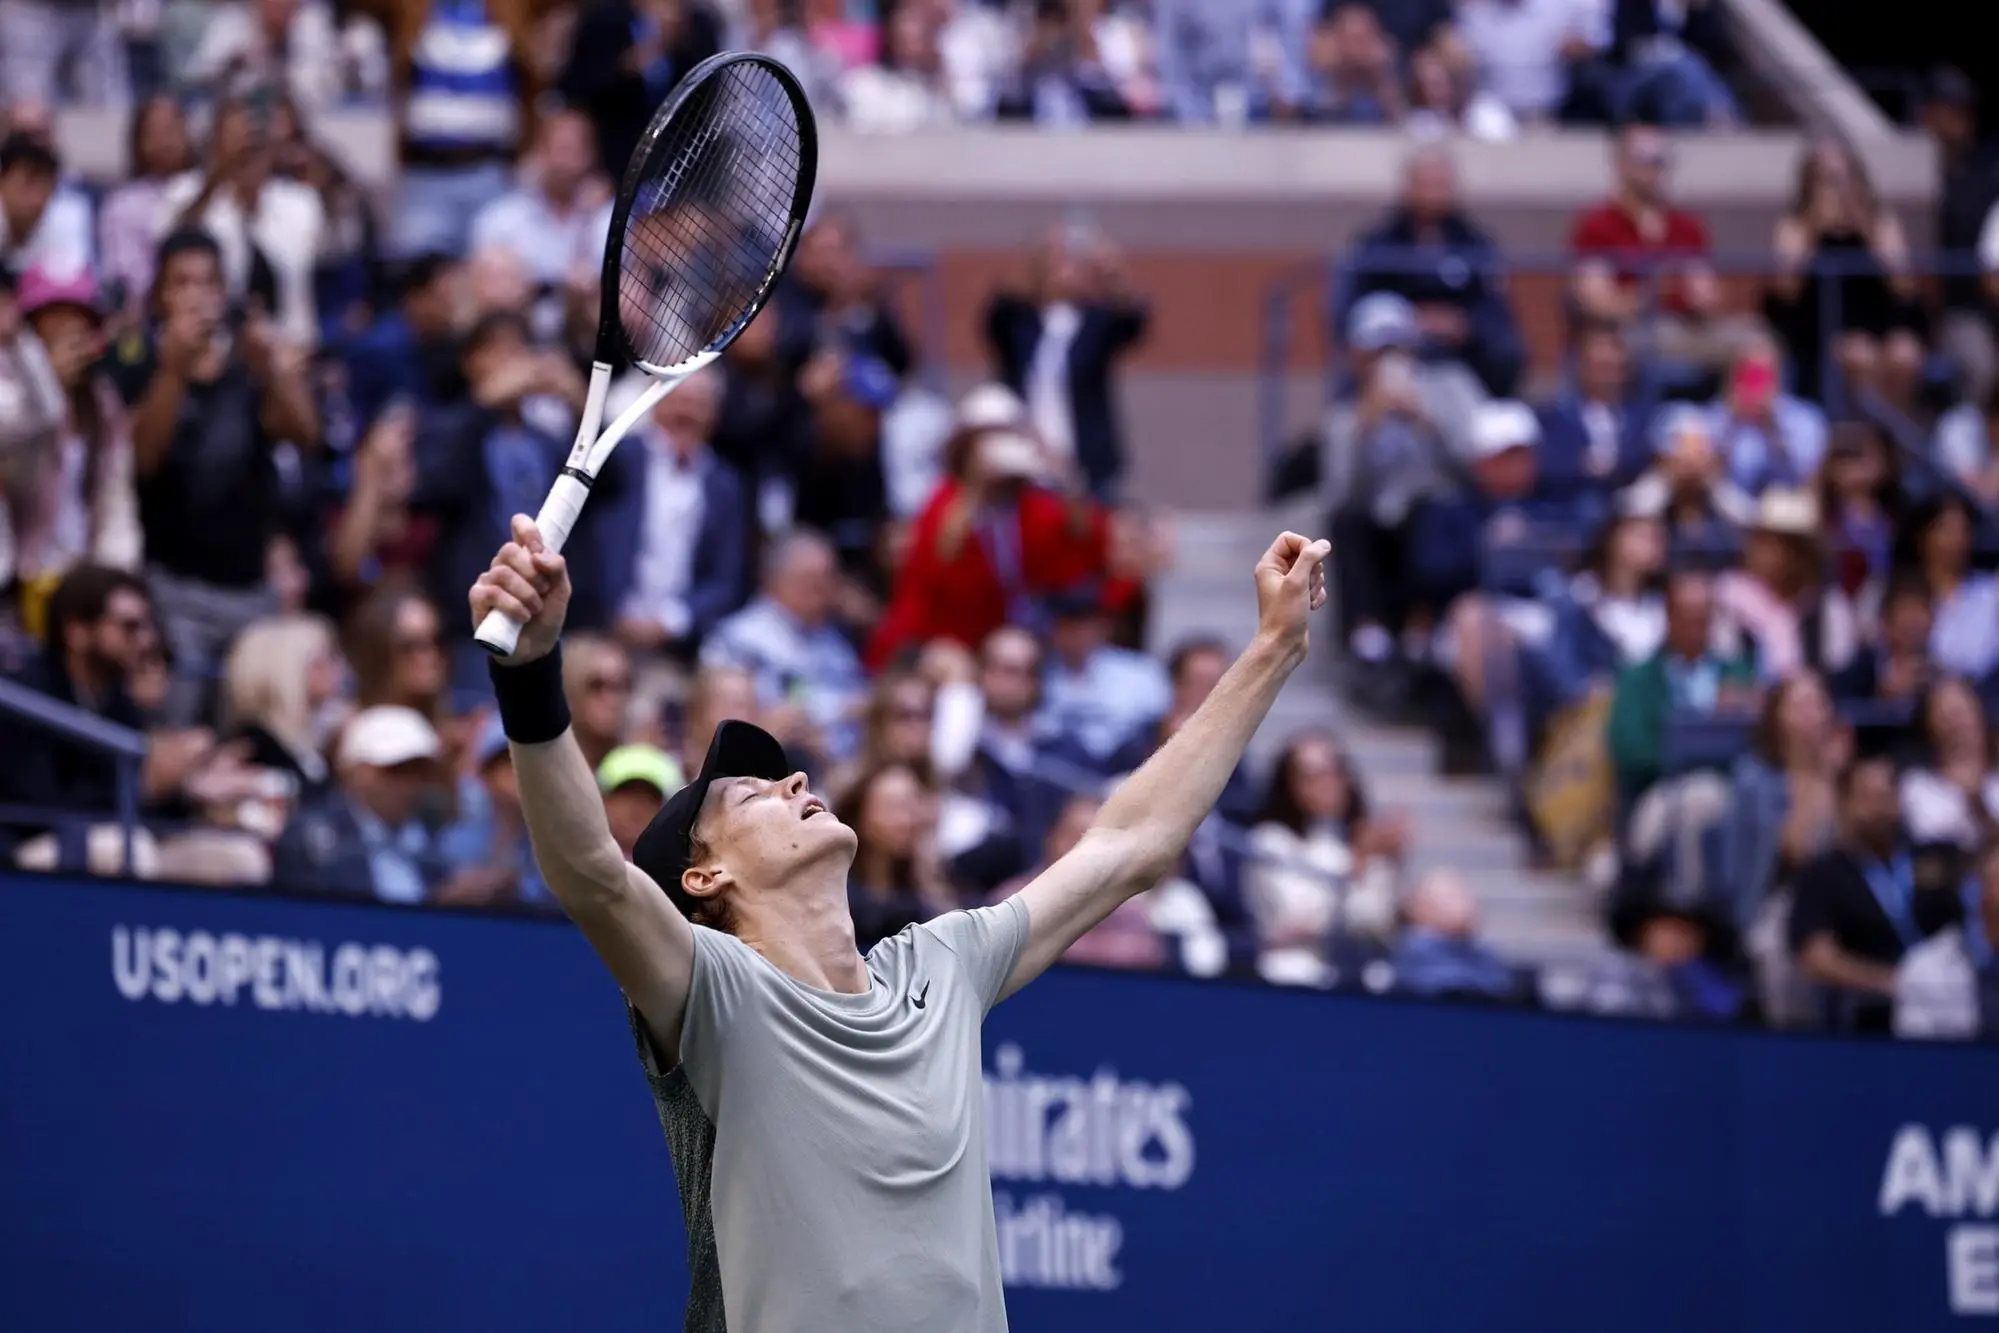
column 831, row 1150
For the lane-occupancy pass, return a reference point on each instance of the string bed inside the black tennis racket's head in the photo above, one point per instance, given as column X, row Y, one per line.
column 711, row 217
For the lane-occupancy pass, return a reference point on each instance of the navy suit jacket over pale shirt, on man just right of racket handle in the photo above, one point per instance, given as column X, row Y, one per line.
column 719, row 583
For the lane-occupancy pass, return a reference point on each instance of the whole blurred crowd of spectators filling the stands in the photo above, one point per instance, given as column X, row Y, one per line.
column 1714, row 601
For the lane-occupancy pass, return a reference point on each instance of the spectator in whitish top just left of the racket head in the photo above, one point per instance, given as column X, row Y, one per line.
column 555, row 219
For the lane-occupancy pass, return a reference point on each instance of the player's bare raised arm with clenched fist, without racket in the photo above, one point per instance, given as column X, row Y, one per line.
column 1142, row 832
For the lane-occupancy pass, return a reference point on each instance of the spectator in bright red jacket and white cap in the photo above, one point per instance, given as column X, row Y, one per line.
column 989, row 547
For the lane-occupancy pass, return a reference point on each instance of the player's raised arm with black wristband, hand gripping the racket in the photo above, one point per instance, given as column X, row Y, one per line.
column 625, row 916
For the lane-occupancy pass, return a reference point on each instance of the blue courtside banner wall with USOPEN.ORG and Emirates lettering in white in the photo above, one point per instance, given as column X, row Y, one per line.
column 229, row 1112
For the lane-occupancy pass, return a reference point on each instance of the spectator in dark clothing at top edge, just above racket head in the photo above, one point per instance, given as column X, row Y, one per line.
column 627, row 57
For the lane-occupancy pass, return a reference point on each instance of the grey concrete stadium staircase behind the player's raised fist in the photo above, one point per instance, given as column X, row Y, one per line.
column 1530, row 916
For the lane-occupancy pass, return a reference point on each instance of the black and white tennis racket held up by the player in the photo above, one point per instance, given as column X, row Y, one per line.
column 705, row 223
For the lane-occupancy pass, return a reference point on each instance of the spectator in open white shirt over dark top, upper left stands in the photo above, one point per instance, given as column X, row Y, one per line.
column 269, row 231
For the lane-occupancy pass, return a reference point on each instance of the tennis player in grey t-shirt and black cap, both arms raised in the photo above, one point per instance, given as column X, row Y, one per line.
column 825, row 1106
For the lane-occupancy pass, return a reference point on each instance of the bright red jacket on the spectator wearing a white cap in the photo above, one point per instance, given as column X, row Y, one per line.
column 963, row 597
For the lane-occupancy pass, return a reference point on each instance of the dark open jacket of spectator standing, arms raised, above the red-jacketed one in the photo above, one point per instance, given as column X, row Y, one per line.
column 1014, row 331
